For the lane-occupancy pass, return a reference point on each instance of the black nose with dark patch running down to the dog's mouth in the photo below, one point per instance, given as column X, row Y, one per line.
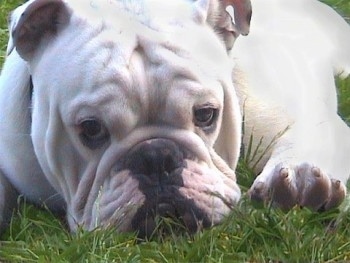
column 158, row 165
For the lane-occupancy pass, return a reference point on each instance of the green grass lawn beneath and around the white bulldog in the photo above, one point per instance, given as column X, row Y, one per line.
column 248, row 234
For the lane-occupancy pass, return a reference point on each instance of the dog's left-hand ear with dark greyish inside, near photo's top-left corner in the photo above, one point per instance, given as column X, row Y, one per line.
column 35, row 22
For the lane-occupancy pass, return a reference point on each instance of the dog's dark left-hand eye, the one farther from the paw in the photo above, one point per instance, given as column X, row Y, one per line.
column 93, row 133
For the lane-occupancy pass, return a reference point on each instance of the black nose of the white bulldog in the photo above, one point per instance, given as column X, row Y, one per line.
column 158, row 159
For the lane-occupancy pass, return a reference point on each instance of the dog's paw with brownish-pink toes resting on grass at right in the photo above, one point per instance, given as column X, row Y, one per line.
column 304, row 185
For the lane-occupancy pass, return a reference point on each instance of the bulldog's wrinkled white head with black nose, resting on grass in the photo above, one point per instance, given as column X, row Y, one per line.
column 132, row 106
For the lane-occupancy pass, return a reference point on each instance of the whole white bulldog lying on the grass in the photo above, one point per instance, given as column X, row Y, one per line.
column 121, row 112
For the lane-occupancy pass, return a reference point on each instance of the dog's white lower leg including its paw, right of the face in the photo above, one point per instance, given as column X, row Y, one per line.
column 309, row 167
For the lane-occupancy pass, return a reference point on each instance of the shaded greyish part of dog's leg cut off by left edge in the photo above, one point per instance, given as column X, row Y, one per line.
column 8, row 201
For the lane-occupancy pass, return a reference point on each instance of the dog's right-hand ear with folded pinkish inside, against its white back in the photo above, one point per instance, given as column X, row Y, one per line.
column 229, row 18
